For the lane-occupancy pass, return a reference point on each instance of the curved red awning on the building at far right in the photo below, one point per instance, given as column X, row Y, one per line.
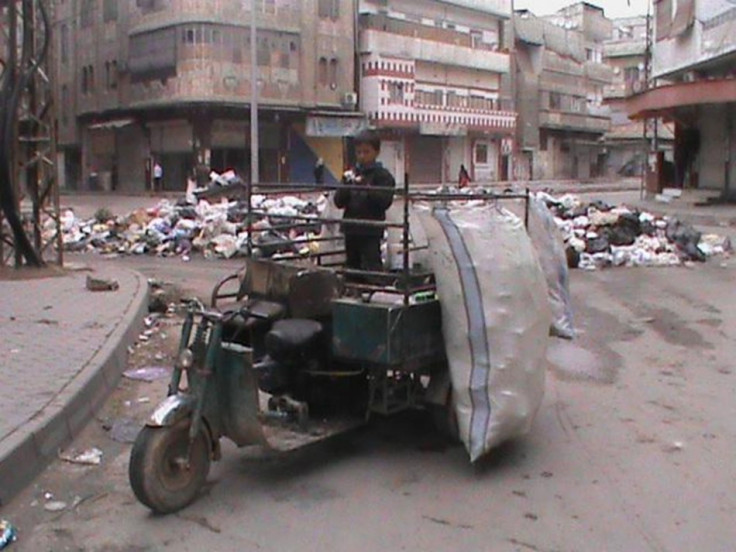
column 661, row 101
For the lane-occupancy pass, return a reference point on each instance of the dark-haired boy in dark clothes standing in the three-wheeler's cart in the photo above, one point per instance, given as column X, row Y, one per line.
column 363, row 242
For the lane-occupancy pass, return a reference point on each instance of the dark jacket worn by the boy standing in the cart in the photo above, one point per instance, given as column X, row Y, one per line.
column 370, row 204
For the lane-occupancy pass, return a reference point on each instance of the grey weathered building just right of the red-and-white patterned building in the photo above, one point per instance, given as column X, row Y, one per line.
column 561, row 77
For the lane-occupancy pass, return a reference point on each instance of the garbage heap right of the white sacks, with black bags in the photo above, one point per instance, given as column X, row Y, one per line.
column 599, row 235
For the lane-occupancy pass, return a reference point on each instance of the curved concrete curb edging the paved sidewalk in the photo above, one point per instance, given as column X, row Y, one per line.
column 27, row 452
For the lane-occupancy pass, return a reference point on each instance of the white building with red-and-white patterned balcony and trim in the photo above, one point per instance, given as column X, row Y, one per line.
column 435, row 78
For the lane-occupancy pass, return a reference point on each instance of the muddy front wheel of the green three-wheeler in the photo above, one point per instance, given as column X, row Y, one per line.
column 163, row 475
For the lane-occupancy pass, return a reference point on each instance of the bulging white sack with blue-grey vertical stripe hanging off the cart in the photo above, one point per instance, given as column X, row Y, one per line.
column 496, row 320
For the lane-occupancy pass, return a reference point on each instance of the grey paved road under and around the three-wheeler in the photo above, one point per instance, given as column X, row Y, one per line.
column 632, row 450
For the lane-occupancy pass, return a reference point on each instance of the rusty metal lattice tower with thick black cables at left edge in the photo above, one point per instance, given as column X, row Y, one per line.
column 32, row 234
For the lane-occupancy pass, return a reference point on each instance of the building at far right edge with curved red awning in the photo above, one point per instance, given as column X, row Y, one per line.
column 694, row 62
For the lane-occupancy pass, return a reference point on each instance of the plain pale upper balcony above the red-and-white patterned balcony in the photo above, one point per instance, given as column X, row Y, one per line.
column 398, row 46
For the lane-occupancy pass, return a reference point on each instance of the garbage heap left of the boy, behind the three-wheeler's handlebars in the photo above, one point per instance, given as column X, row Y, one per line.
column 216, row 230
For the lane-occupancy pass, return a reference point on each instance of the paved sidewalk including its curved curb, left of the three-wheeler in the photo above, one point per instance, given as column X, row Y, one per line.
column 62, row 350
